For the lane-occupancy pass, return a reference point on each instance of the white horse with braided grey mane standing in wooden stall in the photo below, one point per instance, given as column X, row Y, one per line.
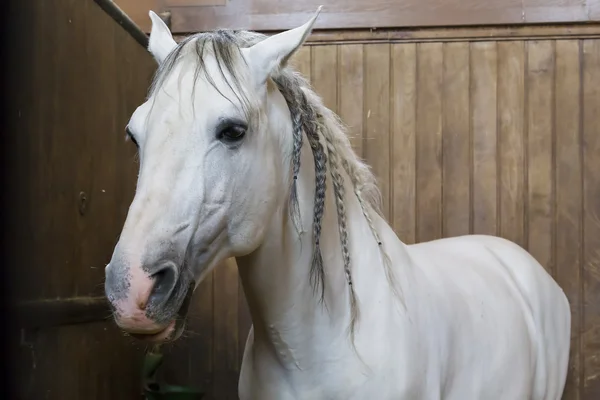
column 239, row 158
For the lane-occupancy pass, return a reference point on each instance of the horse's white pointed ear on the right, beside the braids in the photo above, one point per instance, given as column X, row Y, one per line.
column 276, row 50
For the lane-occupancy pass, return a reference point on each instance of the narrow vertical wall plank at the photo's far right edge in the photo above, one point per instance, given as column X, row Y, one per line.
column 590, row 347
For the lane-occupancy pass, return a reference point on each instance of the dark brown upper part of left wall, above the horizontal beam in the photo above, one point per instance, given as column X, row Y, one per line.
column 76, row 174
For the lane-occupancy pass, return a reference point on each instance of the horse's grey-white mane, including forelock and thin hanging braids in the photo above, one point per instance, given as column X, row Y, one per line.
column 324, row 131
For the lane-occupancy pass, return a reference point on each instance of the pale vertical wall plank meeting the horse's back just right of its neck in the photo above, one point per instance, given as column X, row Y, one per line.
column 429, row 141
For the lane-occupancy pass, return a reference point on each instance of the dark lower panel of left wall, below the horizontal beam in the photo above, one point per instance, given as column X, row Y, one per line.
column 93, row 361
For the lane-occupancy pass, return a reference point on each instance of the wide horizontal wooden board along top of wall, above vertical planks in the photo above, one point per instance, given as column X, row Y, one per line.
column 268, row 15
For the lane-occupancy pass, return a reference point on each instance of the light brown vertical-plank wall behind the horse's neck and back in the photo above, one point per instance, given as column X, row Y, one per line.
column 496, row 137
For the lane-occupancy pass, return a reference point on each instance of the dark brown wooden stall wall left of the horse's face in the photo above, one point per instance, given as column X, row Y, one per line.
column 74, row 77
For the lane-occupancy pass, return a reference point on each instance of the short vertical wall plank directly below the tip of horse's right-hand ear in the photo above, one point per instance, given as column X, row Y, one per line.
column 324, row 74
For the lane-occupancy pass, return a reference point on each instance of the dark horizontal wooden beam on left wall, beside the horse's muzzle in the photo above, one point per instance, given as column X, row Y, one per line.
column 49, row 313
